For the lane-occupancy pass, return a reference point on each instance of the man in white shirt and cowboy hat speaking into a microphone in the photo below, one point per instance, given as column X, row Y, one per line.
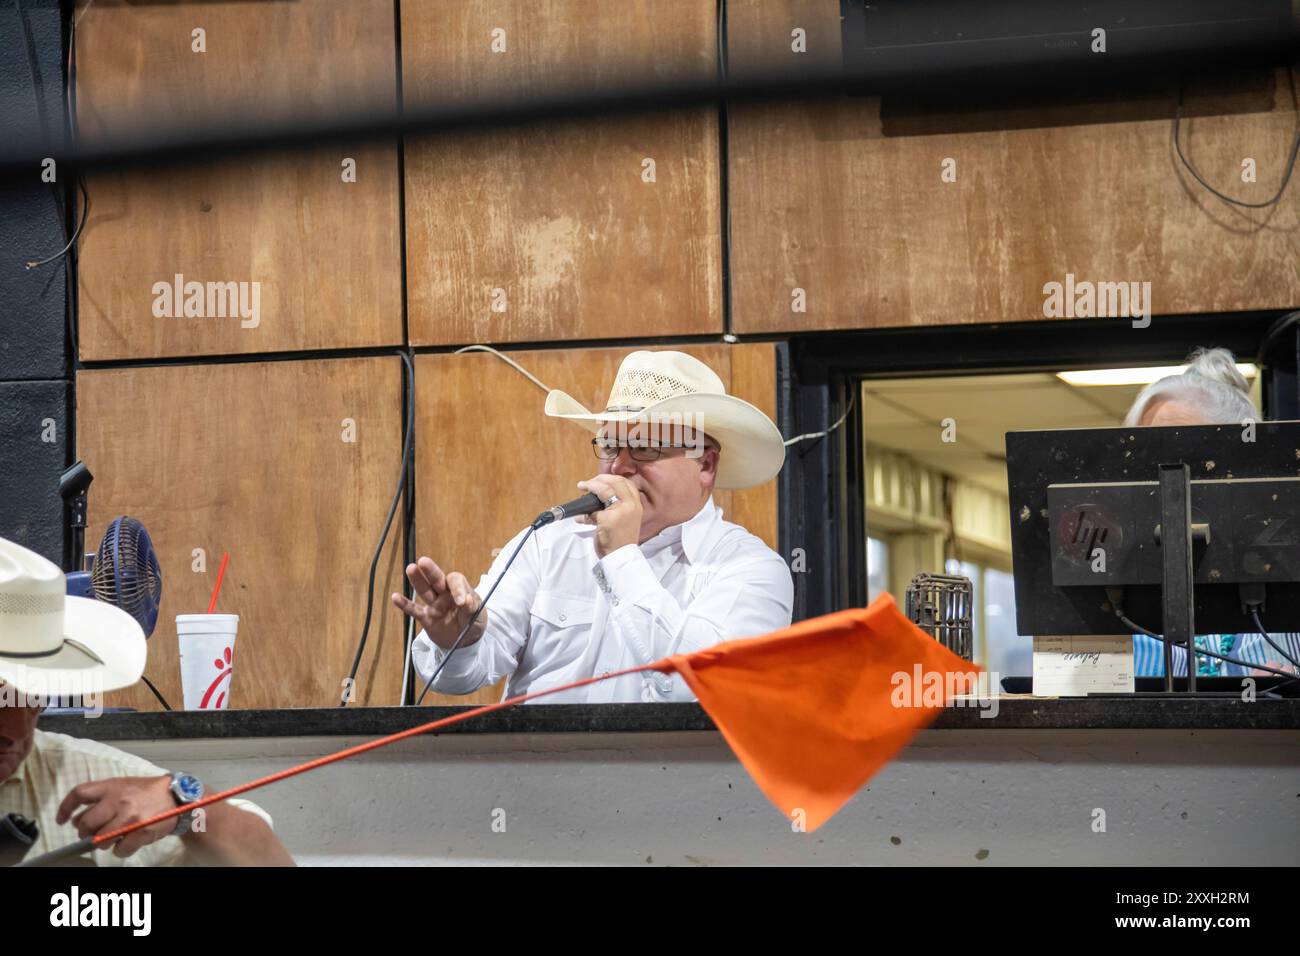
column 657, row 573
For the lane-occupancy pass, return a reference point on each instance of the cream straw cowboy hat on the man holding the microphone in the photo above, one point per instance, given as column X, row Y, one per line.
column 674, row 387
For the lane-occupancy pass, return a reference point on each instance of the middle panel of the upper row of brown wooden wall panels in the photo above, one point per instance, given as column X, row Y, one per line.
column 573, row 231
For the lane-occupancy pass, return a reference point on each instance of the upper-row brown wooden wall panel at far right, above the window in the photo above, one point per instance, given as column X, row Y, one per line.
column 844, row 198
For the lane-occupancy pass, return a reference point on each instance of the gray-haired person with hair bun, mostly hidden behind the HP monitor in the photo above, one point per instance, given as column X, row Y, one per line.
column 1212, row 392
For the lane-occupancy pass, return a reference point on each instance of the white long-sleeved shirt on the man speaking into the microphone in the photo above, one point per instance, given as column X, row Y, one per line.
column 562, row 615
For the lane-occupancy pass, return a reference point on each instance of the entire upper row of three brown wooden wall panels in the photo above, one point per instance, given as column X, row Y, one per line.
column 558, row 232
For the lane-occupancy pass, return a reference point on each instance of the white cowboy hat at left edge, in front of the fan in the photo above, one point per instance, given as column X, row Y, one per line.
column 54, row 644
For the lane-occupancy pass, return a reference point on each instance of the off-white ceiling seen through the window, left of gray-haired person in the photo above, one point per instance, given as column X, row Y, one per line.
column 905, row 414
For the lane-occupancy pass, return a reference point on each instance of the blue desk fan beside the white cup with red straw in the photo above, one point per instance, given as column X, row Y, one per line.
column 125, row 574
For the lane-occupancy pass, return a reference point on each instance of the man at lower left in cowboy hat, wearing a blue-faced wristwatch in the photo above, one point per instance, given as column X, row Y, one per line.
column 54, row 644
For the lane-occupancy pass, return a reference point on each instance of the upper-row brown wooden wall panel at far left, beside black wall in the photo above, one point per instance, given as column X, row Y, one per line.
column 326, row 254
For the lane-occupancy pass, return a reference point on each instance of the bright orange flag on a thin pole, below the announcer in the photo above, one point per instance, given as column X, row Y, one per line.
column 814, row 711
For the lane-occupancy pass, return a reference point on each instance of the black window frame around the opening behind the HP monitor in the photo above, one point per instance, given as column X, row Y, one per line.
column 821, row 521
